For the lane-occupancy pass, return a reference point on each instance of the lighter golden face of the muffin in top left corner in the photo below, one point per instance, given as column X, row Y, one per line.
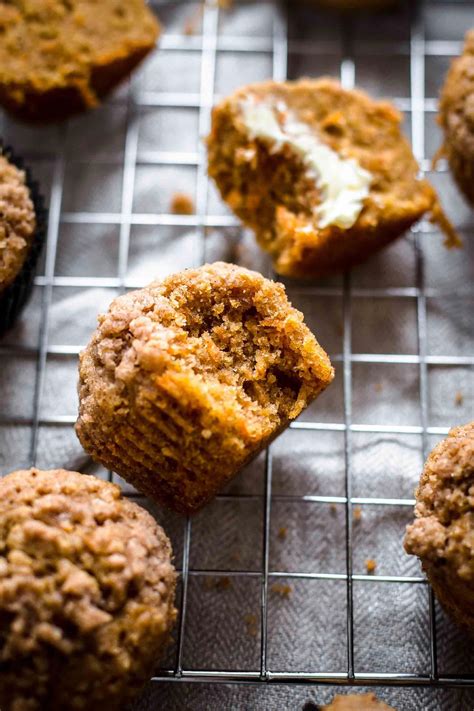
column 55, row 43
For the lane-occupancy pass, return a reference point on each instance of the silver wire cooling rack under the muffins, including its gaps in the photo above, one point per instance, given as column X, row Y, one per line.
column 273, row 580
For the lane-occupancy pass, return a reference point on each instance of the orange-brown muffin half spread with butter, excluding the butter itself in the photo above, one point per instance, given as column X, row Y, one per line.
column 272, row 193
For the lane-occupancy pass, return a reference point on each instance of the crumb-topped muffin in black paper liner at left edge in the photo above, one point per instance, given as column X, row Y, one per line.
column 22, row 232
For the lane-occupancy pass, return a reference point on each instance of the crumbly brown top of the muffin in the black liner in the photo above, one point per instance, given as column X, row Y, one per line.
column 17, row 221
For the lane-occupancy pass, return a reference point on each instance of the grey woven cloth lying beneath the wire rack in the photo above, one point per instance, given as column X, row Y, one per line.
column 306, row 626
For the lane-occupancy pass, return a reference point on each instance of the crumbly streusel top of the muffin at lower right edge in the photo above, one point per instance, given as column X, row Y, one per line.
column 443, row 530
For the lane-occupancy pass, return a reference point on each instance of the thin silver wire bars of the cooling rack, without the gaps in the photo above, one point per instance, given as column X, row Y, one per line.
column 209, row 43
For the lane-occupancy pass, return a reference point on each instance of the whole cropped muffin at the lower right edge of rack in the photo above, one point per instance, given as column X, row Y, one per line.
column 442, row 535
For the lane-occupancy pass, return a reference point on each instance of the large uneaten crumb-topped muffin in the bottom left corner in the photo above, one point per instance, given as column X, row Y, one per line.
column 86, row 593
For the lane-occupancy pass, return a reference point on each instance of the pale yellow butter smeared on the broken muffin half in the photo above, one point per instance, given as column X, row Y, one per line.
column 342, row 182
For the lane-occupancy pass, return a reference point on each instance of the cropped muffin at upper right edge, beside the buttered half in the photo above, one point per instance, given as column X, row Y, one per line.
column 456, row 117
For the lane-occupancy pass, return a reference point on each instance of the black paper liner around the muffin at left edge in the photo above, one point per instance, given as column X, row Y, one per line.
column 14, row 297
